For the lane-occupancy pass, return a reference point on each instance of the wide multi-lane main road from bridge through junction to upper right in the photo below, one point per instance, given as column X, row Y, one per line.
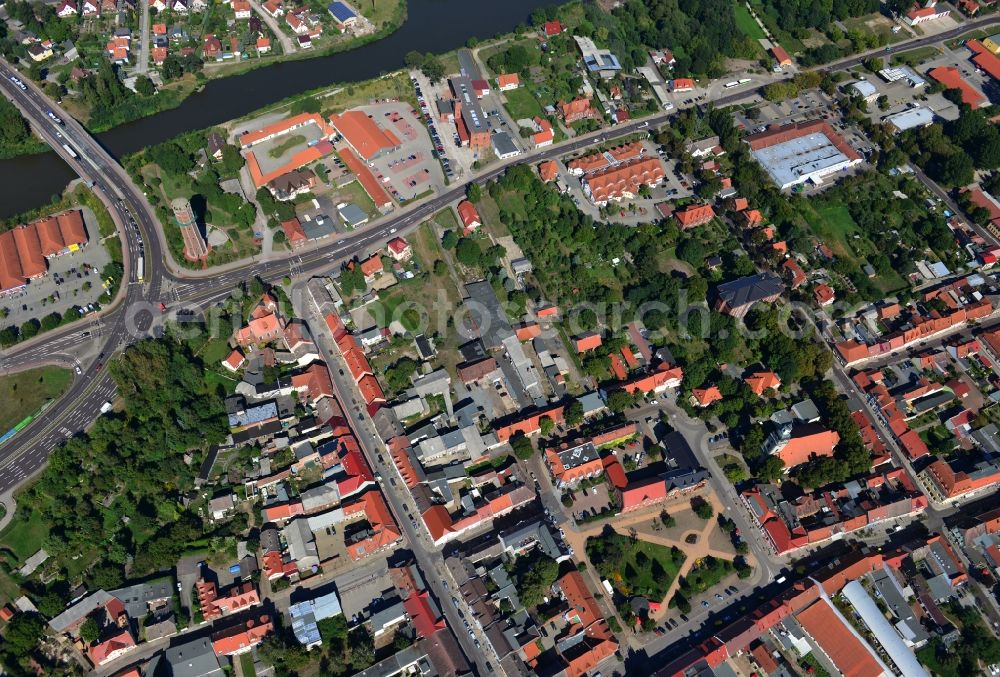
column 134, row 315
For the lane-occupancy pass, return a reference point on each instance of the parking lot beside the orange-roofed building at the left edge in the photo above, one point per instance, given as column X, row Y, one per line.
column 73, row 280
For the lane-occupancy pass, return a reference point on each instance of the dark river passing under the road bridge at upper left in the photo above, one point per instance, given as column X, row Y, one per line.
column 431, row 26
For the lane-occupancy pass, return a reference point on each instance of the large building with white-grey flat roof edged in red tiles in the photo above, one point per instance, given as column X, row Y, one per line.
column 802, row 152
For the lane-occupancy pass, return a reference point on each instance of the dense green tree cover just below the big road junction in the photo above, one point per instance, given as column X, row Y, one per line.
column 133, row 462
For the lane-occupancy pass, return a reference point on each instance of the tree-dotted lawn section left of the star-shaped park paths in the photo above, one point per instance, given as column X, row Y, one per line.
column 634, row 566
